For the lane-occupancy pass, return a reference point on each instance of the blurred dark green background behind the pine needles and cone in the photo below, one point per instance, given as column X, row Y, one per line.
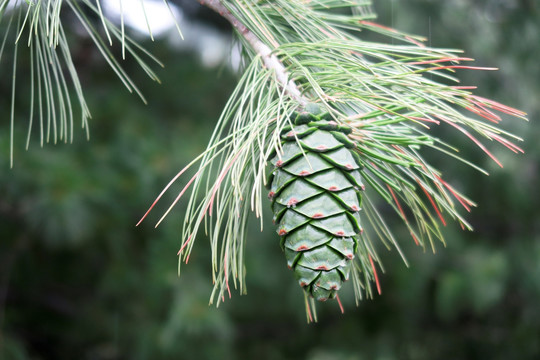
column 79, row 281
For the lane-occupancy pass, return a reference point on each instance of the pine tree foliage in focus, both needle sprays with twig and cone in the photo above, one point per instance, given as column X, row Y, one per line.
column 319, row 111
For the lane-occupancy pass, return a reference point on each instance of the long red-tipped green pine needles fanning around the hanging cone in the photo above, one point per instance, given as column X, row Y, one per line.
column 379, row 90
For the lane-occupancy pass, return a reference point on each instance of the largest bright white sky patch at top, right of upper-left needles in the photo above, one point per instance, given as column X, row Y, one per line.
column 158, row 14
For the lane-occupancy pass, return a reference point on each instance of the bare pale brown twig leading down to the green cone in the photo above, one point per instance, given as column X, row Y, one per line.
column 270, row 60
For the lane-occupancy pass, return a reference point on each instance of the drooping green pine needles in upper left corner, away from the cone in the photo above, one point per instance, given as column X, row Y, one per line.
column 55, row 89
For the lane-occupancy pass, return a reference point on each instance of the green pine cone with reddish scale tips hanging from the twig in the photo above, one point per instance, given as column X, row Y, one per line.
column 315, row 192
